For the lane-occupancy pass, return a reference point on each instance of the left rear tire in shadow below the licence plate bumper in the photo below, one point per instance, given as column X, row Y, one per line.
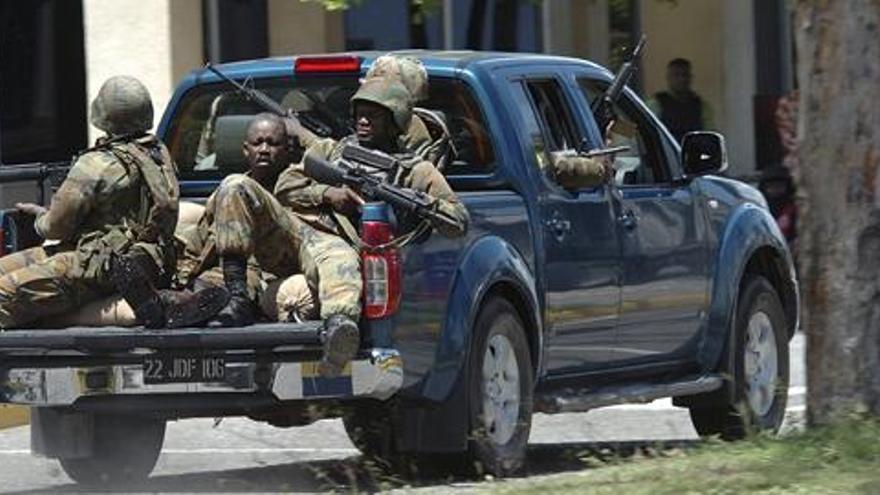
column 126, row 449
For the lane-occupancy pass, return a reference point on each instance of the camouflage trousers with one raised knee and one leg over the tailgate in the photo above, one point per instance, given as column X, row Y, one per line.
column 249, row 221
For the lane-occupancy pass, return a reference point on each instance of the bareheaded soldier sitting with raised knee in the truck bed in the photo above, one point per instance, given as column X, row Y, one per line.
column 247, row 221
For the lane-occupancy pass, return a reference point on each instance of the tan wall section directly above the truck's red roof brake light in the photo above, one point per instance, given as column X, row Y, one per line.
column 297, row 27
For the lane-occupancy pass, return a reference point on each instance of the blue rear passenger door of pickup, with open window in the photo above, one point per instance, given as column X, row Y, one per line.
column 577, row 234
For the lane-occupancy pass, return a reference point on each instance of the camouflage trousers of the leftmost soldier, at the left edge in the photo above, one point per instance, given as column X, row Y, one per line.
column 41, row 282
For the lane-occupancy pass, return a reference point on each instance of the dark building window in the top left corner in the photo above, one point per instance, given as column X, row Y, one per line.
column 43, row 83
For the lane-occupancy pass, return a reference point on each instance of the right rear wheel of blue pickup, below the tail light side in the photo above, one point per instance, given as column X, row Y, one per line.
column 500, row 391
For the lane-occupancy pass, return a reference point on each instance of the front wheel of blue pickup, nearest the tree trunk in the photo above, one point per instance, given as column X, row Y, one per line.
column 760, row 368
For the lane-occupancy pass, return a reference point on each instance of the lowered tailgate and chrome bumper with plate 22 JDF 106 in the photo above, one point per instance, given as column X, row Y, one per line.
column 275, row 361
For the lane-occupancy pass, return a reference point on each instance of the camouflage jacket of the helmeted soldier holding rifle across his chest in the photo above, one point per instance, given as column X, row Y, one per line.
column 306, row 197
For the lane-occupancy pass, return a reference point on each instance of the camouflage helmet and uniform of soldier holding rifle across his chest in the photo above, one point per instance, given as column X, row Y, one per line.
column 330, row 232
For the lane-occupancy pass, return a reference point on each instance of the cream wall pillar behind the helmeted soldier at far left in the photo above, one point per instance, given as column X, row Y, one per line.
column 157, row 41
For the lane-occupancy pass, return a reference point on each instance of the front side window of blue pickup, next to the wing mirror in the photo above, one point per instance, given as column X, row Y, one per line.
column 643, row 163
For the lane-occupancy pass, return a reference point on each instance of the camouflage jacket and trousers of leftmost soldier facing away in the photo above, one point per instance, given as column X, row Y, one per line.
column 103, row 208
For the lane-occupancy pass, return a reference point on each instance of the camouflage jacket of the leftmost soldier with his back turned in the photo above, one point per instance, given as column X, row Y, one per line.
column 114, row 197
